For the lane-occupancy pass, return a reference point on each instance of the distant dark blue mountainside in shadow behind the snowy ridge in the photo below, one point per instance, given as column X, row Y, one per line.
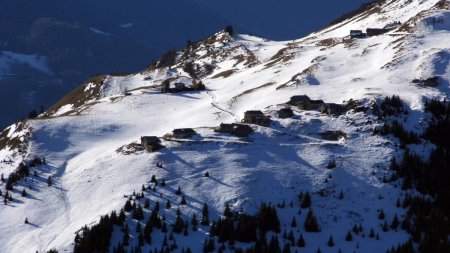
column 77, row 39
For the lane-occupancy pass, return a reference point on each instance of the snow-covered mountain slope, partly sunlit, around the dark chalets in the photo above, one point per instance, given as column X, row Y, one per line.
column 87, row 137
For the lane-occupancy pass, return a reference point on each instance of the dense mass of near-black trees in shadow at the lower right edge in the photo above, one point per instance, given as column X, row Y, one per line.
column 428, row 215
